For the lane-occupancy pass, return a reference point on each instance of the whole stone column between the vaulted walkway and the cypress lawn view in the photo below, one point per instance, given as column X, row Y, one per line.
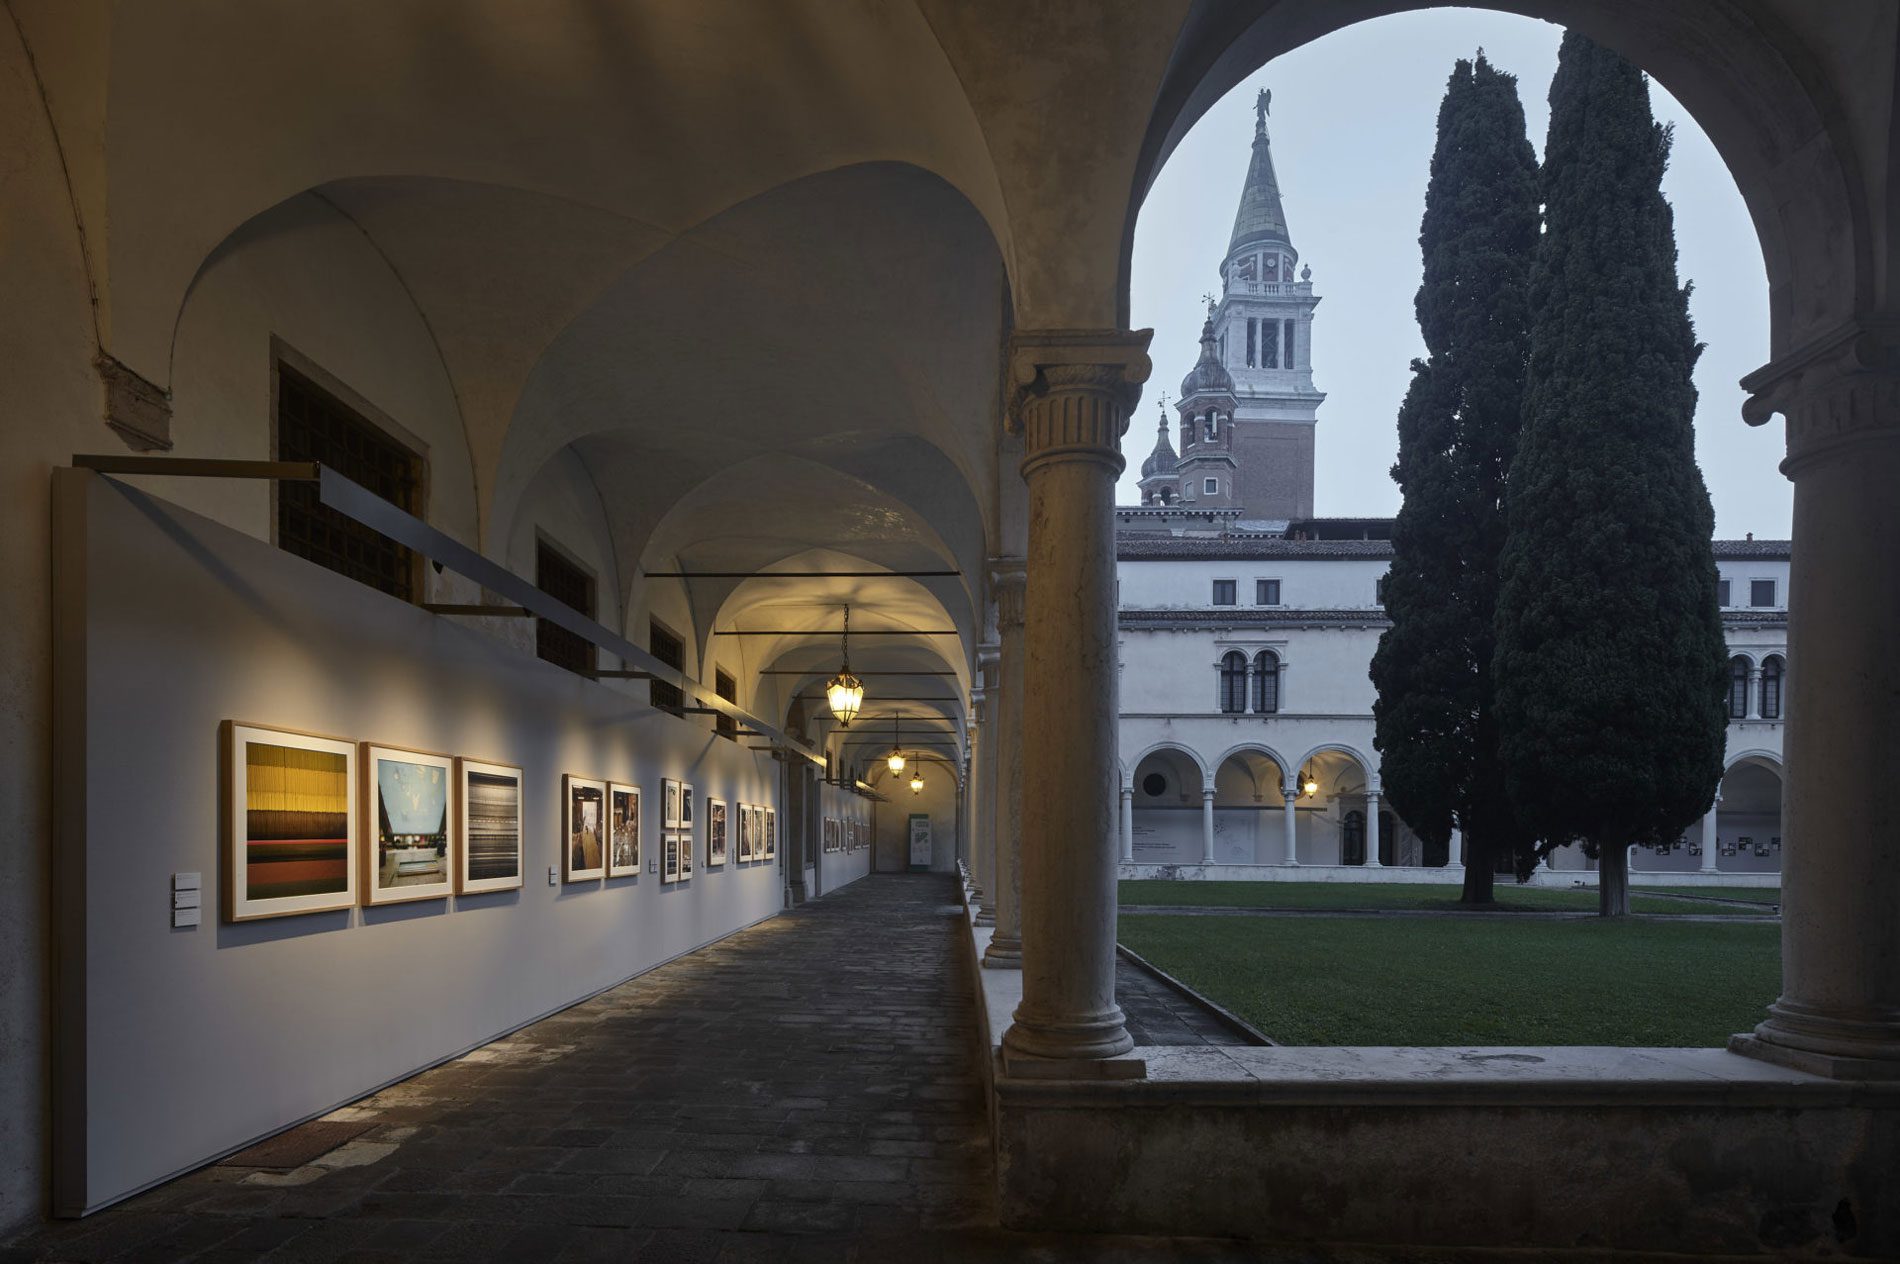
column 1071, row 394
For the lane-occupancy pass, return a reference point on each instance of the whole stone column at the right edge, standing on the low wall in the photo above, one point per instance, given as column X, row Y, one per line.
column 1840, row 1005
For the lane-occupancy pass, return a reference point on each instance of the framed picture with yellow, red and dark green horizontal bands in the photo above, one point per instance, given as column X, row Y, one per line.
column 290, row 824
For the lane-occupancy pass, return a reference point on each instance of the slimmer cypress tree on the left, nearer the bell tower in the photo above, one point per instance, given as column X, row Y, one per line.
column 1458, row 429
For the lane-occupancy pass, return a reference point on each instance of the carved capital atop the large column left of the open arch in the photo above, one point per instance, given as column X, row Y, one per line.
column 1071, row 393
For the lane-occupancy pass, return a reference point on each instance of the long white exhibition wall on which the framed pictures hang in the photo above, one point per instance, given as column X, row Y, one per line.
column 178, row 1046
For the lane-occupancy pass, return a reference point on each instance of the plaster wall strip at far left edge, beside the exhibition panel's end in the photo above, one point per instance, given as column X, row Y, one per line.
column 54, row 406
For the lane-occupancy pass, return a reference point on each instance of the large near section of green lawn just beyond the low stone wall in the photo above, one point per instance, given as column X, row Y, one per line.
column 1473, row 982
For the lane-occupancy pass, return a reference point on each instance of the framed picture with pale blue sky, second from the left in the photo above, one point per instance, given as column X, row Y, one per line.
column 406, row 826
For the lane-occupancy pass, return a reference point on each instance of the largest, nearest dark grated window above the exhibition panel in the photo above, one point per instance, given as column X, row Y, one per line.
column 313, row 425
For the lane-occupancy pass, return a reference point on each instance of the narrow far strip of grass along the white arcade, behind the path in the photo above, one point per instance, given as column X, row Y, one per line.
column 1344, row 896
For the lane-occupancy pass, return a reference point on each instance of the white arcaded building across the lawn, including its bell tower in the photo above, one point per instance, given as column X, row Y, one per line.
column 1247, row 626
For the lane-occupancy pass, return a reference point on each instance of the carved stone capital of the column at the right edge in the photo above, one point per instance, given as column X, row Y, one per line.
column 1838, row 393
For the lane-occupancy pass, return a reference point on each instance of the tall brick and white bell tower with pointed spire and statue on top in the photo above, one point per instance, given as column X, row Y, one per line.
column 1263, row 335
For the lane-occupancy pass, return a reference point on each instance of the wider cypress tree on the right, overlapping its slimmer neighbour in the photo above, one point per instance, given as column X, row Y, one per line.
column 1610, row 649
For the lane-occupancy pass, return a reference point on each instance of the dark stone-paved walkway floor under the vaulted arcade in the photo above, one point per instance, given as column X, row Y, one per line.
column 805, row 1090
